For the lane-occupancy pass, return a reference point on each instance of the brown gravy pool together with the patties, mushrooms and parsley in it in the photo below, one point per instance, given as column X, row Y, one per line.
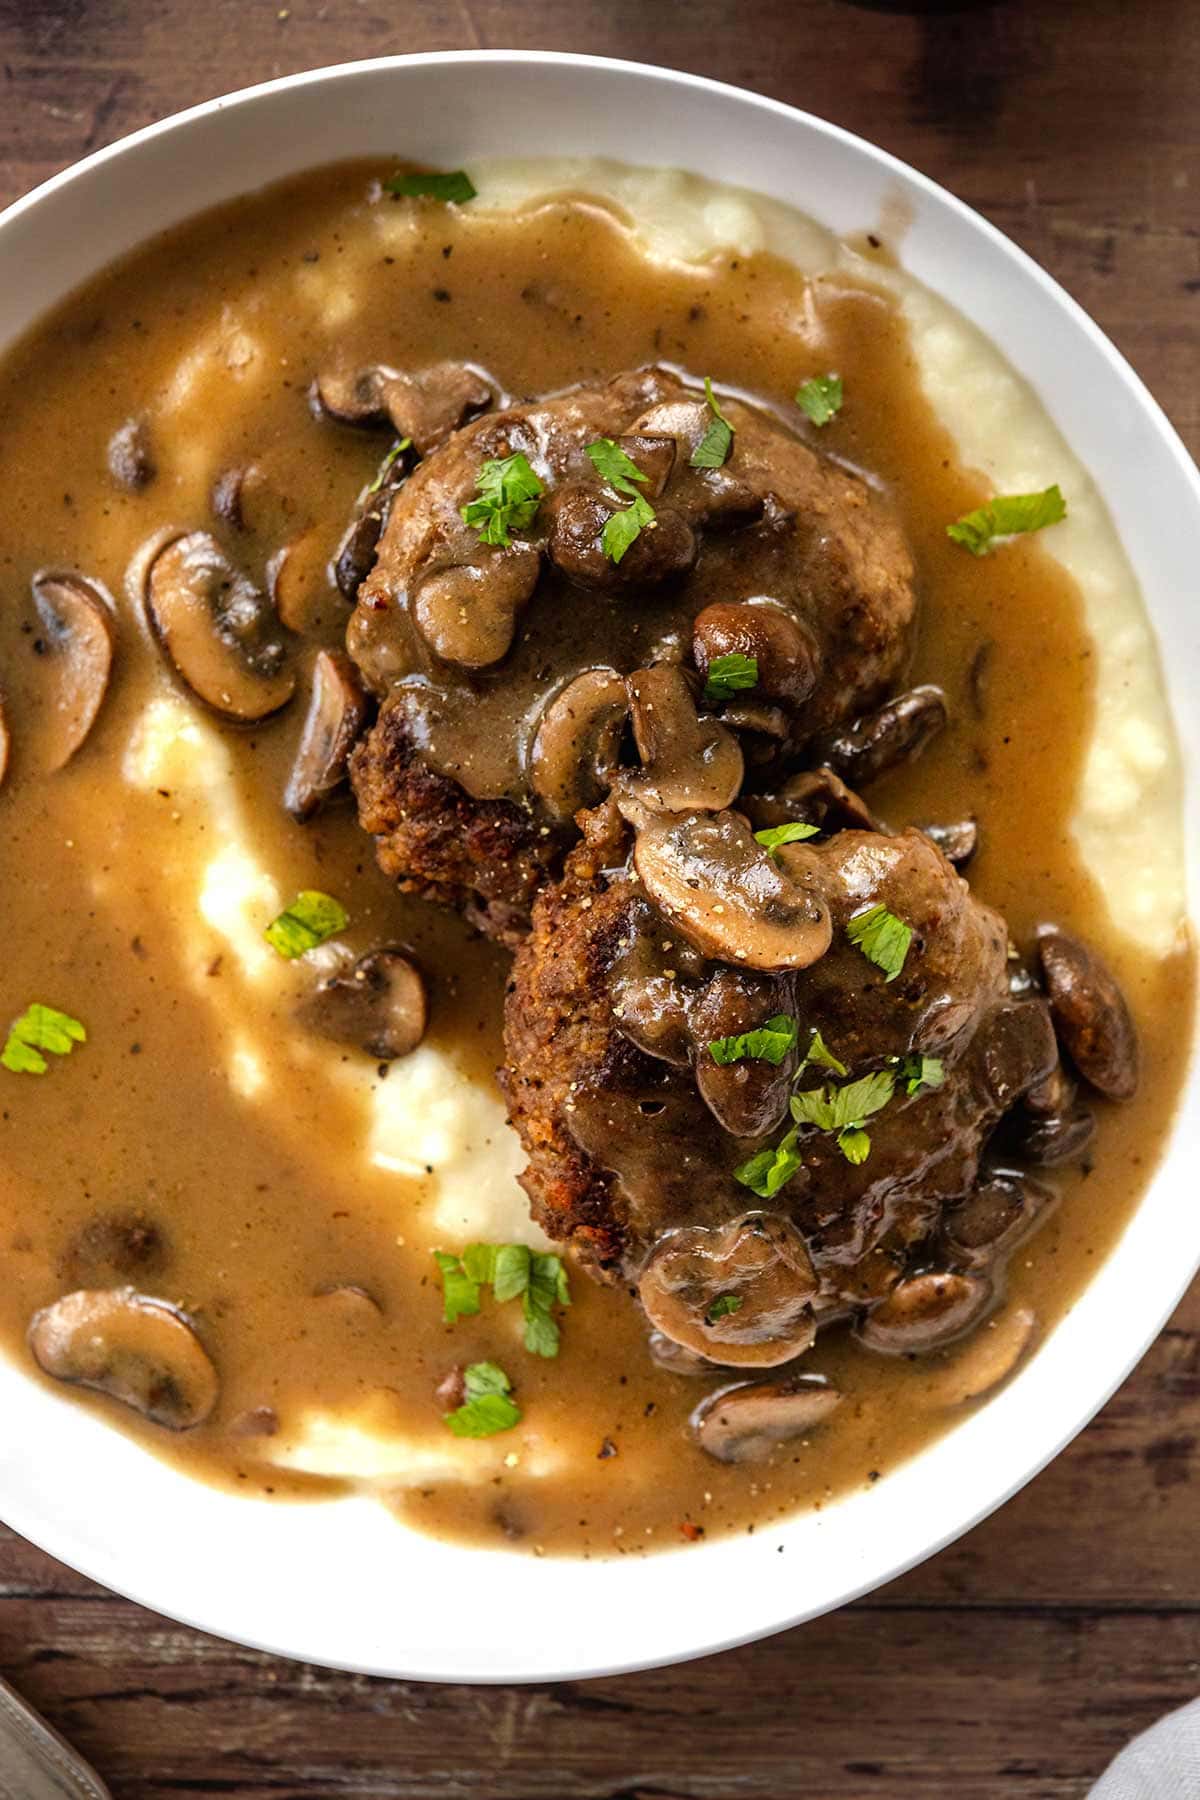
column 447, row 638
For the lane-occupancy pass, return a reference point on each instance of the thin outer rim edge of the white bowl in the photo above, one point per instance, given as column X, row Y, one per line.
column 780, row 1615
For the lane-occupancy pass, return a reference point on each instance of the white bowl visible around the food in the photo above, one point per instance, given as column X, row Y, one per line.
column 343, row 1583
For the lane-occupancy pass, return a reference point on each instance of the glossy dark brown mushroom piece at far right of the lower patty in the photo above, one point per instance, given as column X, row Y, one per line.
column 1089, row 1014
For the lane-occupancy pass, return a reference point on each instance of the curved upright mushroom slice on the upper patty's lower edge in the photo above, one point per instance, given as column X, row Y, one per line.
column 578, row 741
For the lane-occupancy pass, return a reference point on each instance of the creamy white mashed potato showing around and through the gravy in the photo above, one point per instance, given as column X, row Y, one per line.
column 429, row 1120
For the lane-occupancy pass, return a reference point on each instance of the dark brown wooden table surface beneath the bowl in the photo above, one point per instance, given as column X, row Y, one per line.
column 1017, row 1662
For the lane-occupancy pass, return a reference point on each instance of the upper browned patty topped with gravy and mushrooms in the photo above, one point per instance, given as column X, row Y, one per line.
column 497, row 667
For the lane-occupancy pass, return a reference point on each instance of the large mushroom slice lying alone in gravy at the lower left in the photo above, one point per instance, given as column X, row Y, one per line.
column 143, row 1353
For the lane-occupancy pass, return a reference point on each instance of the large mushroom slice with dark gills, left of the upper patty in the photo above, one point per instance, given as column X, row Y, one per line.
column 219, row 629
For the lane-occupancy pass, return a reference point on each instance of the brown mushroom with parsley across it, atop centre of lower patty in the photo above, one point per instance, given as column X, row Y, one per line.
column 749, row 1097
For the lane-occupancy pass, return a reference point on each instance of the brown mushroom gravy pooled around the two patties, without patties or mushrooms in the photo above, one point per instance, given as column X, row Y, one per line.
column 202, row 1146
